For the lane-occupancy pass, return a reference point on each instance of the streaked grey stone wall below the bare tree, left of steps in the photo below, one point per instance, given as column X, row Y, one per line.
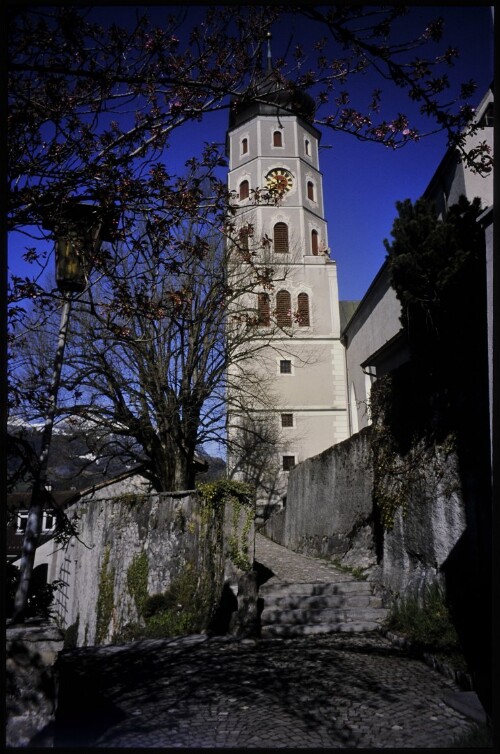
column 98, row 601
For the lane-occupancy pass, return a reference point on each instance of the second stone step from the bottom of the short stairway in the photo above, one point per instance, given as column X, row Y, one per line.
column 327, row 615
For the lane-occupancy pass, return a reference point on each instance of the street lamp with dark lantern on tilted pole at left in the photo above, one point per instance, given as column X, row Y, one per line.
column 79, row 229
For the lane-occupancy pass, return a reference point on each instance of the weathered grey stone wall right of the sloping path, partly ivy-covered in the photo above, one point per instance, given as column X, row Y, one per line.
column 330, row 513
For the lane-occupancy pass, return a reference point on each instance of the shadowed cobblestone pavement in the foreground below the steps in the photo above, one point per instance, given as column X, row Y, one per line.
column 332, row 691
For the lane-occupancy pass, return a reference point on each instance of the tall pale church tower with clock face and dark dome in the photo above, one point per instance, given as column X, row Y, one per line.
column 272, row 144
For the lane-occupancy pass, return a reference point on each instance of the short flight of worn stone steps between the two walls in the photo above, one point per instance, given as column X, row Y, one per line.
column 300, row 609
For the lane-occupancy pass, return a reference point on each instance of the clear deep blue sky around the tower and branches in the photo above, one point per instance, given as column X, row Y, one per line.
column 362, row 182
